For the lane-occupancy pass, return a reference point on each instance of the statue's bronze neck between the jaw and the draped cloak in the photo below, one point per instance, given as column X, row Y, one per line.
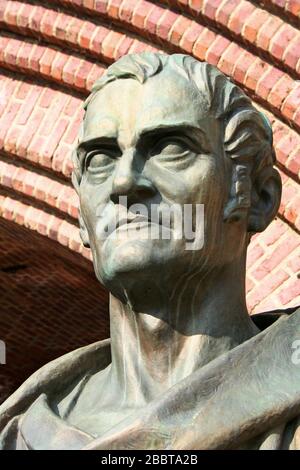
column 160, row 338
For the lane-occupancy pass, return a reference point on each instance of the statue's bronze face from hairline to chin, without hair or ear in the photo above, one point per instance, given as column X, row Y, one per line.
column 153, row 145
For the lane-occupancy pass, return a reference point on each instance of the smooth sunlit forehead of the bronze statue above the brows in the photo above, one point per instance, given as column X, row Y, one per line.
column 126, row 104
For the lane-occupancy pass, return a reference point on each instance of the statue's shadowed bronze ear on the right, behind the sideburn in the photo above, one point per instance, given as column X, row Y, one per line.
column 265, row 199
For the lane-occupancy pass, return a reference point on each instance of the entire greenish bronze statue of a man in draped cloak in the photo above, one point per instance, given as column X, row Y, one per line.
column 186, row 367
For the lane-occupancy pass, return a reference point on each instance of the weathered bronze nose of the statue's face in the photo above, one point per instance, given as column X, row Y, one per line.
column 130, row 182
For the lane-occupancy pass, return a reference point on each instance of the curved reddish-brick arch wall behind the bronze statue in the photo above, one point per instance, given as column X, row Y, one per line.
column 49, row 59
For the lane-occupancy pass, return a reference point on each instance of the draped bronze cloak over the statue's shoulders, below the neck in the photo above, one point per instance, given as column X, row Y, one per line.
column 248, row 397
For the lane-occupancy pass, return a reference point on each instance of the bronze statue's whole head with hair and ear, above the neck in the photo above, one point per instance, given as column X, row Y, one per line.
column 164, row 131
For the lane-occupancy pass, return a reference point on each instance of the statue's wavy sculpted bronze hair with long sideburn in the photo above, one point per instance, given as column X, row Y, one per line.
column 247, row 131
